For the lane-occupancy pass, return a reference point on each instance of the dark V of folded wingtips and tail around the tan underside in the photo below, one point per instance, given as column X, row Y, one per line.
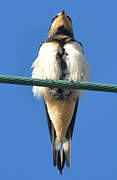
column 61, row 151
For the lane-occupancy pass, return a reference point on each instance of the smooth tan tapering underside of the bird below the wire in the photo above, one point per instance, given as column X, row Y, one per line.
column 60, row 112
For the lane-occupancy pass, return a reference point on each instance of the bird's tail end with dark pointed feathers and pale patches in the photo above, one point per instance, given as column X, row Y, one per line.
column 61, row 154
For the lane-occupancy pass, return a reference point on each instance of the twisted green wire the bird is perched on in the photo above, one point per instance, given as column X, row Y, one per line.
column 58, row 84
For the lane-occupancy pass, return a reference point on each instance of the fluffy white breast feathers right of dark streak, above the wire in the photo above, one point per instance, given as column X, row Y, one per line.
column 77, row 64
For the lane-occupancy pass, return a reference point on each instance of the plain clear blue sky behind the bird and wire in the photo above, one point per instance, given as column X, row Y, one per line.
column 25, row 149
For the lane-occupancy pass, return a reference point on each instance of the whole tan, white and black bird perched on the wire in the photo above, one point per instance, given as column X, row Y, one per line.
column 60, row 57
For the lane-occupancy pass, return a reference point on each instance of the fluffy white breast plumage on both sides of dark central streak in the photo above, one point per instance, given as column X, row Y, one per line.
column 47, row 66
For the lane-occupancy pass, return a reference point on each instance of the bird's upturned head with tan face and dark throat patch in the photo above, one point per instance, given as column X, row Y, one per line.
column 61, row 25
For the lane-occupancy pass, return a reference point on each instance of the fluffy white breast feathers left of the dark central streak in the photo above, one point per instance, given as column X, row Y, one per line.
column 46, row 65
